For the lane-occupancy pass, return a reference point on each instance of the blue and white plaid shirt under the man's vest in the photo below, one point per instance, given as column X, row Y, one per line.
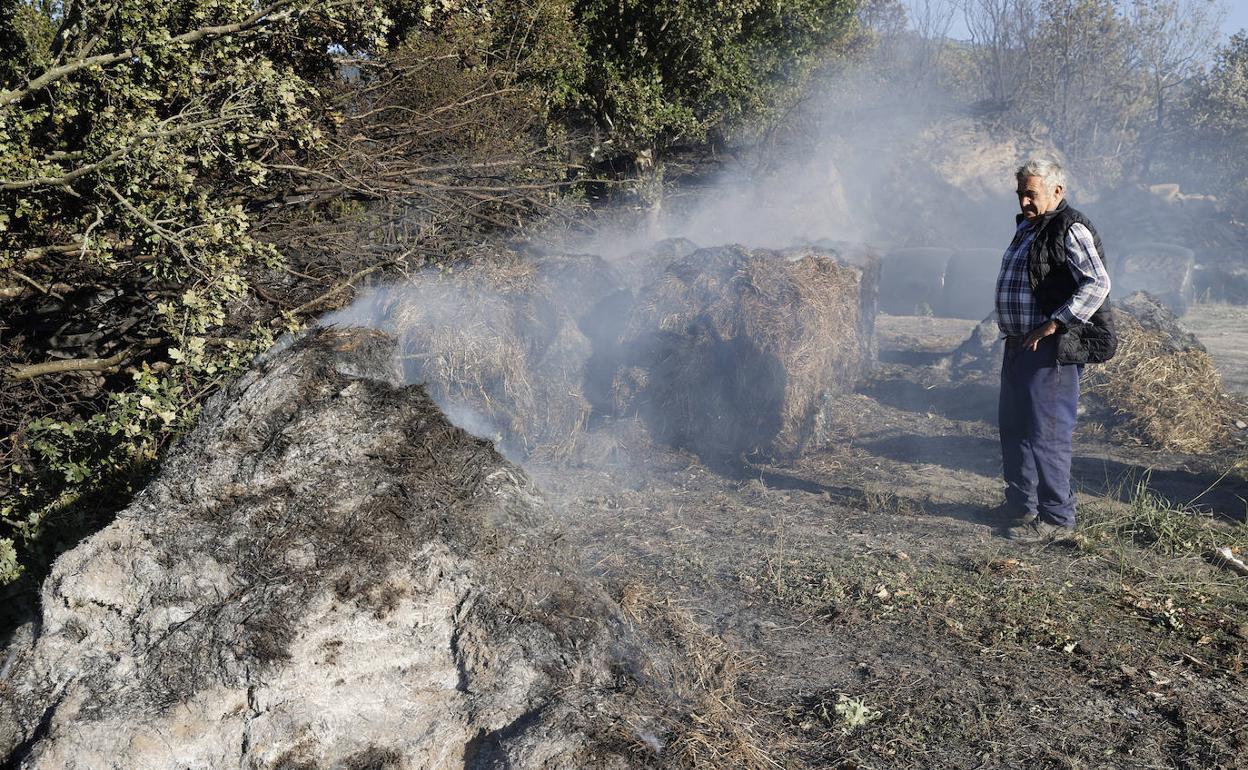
column 1018, row 310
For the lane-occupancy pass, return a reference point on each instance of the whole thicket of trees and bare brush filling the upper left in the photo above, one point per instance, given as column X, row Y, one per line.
column 182, row 180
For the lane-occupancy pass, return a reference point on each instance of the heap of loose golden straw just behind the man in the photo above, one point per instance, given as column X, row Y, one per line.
column 1164, row 399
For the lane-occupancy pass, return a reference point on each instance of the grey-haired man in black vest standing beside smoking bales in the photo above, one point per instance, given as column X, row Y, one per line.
column 1053, row 311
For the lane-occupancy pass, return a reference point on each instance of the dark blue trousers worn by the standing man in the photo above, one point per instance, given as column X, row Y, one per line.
column 1036, row 416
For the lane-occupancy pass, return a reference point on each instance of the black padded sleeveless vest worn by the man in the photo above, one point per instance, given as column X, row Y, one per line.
column 1053, row 285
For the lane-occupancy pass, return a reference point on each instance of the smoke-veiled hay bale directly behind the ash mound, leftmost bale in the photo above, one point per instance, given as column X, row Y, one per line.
column 499, row 354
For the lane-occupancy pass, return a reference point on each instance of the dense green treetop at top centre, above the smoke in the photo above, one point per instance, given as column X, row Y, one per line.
column 668, row 72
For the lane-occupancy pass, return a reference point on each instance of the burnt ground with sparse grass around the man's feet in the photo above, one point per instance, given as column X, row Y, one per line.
column 883, row 625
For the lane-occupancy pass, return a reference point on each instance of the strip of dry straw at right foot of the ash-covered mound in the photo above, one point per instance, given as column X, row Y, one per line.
column 707, row 728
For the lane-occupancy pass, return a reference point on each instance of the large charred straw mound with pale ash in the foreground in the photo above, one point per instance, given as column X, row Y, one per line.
column 328, row 575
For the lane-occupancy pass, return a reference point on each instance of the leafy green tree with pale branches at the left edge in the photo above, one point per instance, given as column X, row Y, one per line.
column 134, row 135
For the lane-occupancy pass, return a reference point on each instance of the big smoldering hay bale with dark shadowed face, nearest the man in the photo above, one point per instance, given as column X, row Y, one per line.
column 737, row 351
